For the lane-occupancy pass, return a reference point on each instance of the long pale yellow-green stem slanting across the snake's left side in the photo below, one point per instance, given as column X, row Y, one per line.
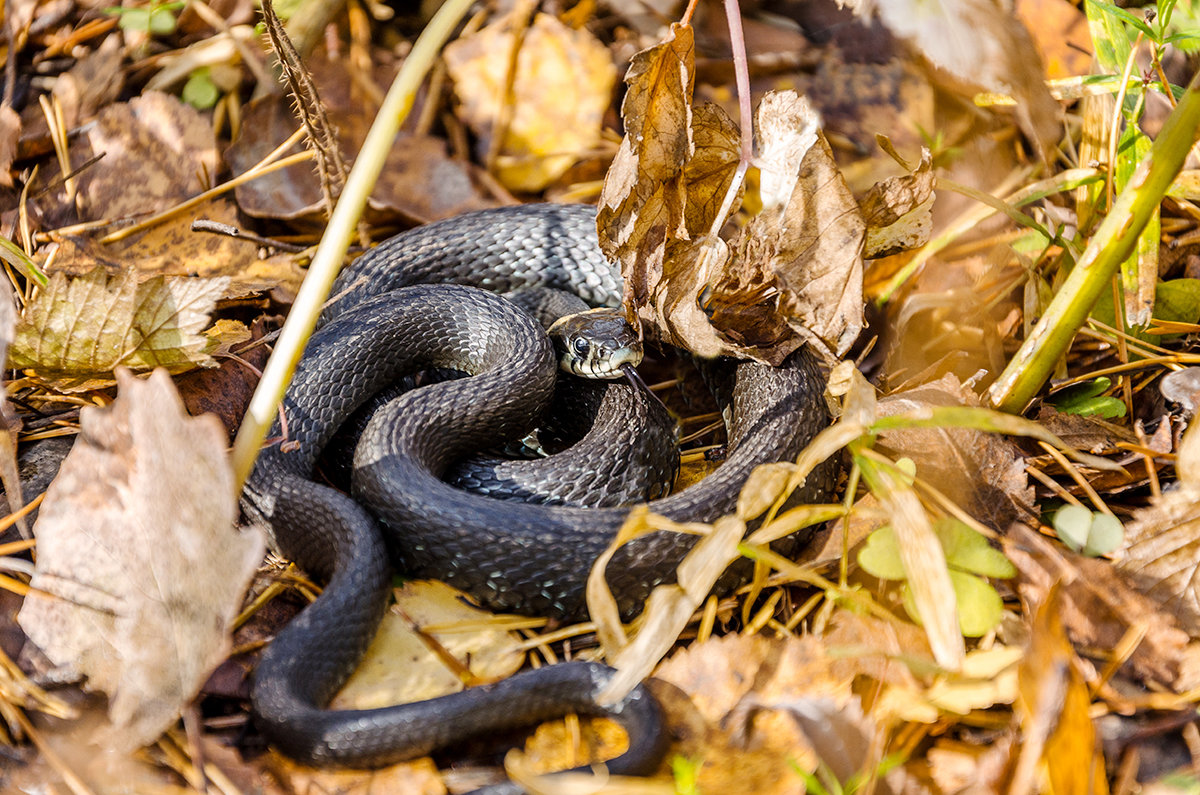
column 328, row 260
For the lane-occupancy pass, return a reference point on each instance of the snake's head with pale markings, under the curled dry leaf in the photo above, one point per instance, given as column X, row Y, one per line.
column 597, row 344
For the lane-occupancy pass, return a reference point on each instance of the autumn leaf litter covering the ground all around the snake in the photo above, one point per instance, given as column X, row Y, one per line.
column 902, row 654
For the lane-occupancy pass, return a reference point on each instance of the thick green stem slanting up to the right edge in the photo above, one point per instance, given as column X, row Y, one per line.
column 1112, row 244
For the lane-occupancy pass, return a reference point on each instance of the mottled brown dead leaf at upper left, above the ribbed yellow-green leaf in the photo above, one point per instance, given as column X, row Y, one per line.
column 166, row 144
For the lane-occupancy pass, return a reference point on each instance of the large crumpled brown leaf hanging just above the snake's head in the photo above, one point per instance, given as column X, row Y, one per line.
column 793, row 274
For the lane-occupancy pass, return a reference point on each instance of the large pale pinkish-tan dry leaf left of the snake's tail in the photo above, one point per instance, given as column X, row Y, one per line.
column 140, row 569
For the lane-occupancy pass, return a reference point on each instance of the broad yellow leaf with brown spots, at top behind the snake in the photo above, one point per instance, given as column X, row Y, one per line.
column 545, row 135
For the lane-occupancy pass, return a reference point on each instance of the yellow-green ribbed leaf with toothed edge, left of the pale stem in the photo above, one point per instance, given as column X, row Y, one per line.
column 76, row 332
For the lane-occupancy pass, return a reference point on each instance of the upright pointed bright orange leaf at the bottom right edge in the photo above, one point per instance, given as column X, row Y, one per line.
column 1059, row 749
